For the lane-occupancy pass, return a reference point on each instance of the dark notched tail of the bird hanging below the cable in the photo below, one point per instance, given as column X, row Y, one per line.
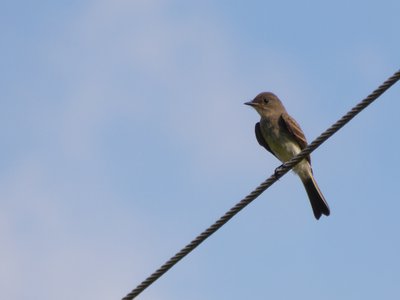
column 317, row 200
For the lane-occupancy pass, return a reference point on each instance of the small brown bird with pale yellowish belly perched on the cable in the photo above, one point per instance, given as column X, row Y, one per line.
column 280, row 134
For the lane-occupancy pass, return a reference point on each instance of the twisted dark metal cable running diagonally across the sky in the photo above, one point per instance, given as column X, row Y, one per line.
column 279, row 172
